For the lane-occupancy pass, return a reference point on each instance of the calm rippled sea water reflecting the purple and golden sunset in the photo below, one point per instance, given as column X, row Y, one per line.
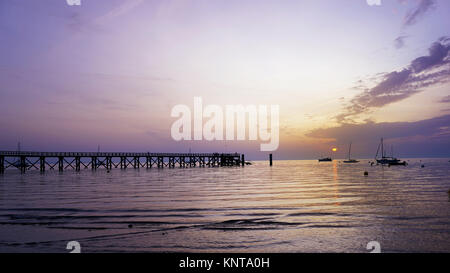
column 294, row 206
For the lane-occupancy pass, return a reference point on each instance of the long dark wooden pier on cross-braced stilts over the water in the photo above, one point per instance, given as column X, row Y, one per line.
column 61, row 161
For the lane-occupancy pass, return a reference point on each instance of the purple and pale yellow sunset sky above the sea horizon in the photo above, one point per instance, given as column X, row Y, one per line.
column 108, row 73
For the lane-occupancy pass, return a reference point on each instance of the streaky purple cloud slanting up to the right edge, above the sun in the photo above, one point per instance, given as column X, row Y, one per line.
column 399, row 85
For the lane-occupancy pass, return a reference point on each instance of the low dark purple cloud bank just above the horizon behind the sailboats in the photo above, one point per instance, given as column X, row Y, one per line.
column 430, row 137
